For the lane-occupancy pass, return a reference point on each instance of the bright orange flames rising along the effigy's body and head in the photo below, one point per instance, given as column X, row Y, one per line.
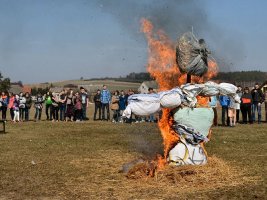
column 163, row 68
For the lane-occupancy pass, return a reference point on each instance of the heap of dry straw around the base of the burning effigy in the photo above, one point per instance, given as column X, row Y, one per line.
column 215, row 174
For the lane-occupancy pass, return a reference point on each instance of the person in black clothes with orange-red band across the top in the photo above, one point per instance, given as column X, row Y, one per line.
column 246, row 100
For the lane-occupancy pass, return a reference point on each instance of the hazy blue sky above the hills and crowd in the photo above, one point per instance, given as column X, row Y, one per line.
column 62, row 39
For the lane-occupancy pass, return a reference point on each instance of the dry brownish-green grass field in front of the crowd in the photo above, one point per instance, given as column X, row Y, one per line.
column 46, row 160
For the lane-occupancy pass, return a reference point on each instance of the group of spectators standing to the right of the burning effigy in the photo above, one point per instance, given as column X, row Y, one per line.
column 250, row 105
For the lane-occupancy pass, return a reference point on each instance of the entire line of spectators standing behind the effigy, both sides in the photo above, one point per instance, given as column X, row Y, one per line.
column 72, row 106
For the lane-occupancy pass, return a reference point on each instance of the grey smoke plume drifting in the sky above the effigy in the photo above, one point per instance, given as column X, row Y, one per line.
column 176, row 17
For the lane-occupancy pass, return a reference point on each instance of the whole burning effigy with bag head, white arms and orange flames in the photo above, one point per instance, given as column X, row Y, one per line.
column 182, row 72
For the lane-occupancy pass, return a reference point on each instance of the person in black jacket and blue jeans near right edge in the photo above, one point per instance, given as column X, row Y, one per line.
column 257, row 100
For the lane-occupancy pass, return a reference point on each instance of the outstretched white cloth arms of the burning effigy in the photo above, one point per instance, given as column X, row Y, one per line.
column 147, row 104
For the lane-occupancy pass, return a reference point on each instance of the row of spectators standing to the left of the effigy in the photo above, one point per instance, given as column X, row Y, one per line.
column 65, row 106
